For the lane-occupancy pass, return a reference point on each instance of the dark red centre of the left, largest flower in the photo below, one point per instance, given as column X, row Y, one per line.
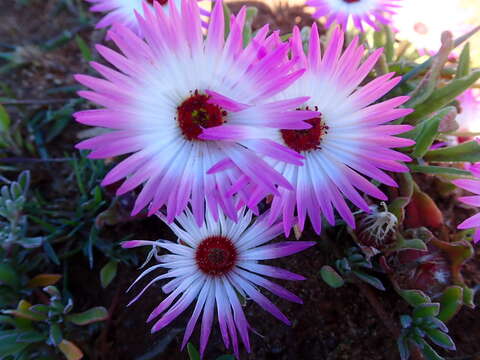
column 195, row 114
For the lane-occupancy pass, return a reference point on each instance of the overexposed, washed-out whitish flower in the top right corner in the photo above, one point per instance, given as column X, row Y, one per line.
column 415, row 23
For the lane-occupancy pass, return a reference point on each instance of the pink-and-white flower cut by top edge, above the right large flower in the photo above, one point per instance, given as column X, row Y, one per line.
column 361, row 11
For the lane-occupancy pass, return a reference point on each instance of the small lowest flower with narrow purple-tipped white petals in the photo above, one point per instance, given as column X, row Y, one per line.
column 212, row 265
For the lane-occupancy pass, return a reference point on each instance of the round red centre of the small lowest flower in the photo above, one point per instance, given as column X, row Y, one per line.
column 216, row 255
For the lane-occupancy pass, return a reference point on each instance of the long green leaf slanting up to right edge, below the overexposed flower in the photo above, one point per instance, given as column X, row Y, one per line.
column 442, row 97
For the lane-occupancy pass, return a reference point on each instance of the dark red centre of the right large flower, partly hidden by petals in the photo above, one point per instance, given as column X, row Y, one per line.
column 306, row 140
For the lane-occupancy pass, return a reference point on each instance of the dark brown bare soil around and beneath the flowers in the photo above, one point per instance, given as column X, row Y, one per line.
column 332, row 324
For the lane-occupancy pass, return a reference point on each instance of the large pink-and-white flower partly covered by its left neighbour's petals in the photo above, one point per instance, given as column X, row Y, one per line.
column 347, row 142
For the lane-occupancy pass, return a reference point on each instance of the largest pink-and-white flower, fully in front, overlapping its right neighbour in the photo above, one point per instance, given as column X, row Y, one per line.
column 174, row 85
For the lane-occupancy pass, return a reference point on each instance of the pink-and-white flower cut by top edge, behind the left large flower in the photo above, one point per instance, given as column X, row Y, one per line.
column 123, row 11
